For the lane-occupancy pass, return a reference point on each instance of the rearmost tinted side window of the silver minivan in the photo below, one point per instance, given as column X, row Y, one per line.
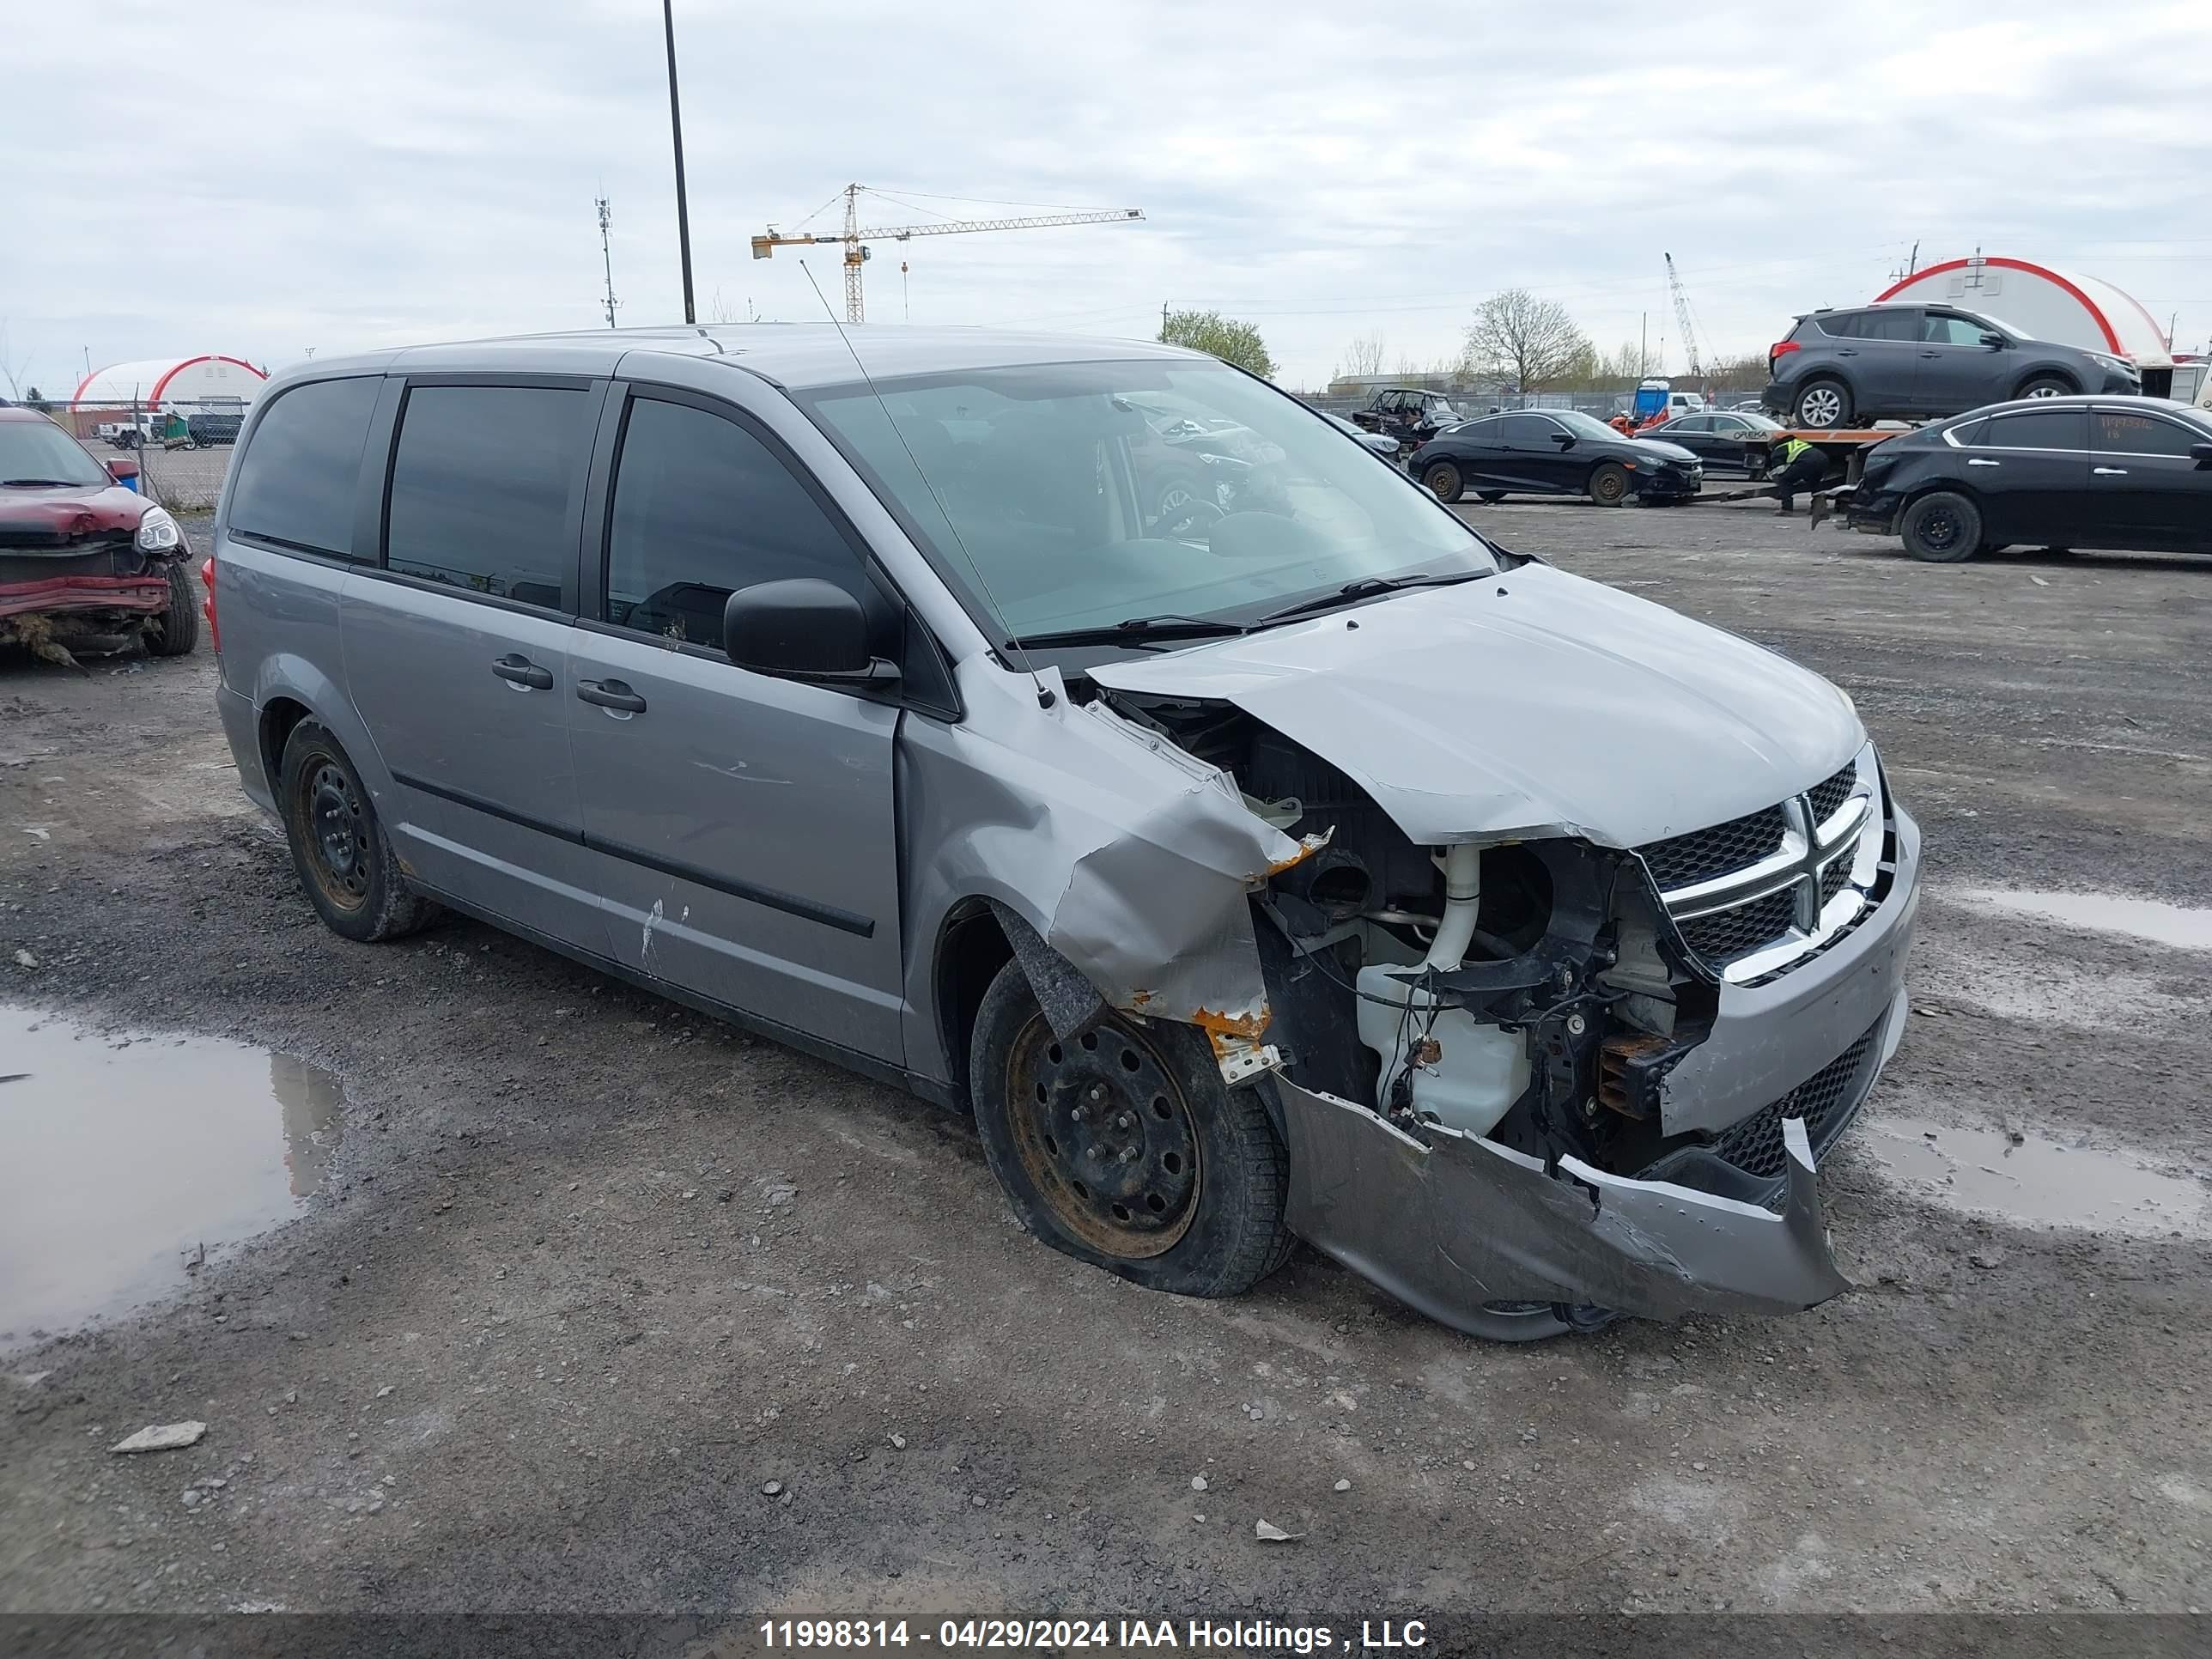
column 300, row 474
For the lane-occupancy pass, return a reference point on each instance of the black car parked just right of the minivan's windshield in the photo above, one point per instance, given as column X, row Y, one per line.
column 1554, row 452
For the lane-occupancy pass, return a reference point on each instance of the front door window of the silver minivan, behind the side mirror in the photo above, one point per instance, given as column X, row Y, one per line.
column 702, row 510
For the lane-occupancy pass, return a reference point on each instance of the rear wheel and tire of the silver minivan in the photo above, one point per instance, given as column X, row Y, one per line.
column 340, row 848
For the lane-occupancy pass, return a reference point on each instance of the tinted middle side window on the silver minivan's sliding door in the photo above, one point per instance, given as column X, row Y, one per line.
column 481, row 488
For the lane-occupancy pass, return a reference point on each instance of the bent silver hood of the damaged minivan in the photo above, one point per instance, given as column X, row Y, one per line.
column 1530, row 705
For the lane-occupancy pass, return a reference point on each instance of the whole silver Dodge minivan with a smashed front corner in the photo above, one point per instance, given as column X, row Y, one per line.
column 1249, row 844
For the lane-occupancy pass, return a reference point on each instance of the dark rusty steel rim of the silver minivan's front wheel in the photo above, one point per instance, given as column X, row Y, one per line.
column 1105, row 1136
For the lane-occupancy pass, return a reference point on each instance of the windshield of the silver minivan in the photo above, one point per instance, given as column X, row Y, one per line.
column 1085, row 494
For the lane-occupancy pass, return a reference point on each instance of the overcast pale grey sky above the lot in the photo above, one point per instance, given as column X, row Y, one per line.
column 229, row 176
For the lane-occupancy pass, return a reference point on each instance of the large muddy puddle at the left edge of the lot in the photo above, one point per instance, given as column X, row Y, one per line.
column 121, row 1154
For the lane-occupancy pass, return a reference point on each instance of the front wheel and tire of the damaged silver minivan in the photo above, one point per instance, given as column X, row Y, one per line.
column 1125, row 1149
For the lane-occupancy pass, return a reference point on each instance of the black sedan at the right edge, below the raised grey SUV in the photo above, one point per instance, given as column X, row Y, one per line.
column 2045, row 472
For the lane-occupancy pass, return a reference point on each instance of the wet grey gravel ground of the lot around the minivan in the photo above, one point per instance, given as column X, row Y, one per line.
column 607, row 1308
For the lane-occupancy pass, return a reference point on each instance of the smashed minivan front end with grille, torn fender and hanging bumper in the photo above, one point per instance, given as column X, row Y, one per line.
column 1527, row 1081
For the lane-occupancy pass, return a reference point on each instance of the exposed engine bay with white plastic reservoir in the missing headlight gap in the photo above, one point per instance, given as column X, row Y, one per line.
column 1530, row 992
